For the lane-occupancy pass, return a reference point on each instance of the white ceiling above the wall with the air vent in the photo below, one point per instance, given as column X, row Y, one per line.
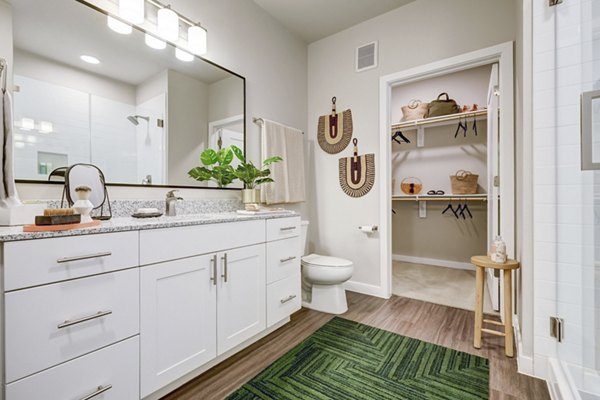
column 315, row 19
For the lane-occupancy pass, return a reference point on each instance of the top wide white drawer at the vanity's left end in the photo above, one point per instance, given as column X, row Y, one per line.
column 35, row 262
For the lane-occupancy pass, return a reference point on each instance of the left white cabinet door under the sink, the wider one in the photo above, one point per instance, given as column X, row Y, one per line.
column 178, row 319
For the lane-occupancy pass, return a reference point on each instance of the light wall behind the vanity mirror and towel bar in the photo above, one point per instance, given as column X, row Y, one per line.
column 272, row 60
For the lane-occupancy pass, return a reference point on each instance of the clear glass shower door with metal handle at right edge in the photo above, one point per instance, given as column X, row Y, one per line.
column 577, row 177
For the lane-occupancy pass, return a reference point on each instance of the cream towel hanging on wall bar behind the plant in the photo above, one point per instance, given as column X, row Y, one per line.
column 288, row 143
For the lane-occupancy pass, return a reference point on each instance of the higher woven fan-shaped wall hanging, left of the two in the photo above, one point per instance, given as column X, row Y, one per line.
column 335, row 130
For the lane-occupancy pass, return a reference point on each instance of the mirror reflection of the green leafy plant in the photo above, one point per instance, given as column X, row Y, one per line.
column 216, row 167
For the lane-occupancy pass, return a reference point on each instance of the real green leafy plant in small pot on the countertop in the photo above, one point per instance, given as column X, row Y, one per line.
column 252, row 176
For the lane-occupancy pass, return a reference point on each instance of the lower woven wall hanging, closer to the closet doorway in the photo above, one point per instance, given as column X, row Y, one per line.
column 357, row 173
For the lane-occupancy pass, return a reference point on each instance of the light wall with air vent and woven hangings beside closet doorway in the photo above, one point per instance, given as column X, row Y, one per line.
column 418, row 33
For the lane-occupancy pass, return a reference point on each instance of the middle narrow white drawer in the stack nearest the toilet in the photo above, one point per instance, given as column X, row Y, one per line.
column 283, row 258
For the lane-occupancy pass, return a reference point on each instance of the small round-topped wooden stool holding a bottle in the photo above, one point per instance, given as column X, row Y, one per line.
column 481, row 263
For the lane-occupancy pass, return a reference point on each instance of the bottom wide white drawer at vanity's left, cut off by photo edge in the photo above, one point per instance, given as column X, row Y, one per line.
column 115, row 368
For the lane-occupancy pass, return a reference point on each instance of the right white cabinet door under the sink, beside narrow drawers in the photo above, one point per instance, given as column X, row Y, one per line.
column 241, row 296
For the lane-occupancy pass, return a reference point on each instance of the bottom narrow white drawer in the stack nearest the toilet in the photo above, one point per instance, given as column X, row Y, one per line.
column 283, row 298
